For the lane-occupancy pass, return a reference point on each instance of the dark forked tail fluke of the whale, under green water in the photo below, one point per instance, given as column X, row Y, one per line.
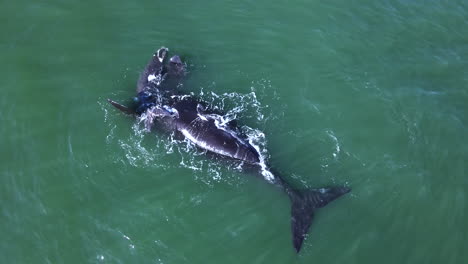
column 304, row 204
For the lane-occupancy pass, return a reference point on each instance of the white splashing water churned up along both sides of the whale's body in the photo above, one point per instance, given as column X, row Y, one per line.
column 234, row 106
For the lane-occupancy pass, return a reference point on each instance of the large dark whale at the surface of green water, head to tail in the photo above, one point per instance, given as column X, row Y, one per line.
column 161, row 106
